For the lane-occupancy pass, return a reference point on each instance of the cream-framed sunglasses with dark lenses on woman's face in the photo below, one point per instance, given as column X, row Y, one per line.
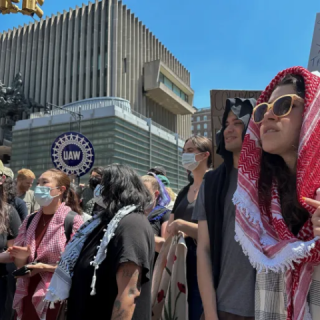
column 280, row 107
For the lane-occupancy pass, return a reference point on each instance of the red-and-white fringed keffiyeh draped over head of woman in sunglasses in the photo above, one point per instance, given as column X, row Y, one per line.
column 265, row 238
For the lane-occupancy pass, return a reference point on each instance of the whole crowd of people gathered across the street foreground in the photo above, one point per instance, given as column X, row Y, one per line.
column 240, row 241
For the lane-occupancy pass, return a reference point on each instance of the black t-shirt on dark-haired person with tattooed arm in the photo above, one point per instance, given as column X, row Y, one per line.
column 133, row 241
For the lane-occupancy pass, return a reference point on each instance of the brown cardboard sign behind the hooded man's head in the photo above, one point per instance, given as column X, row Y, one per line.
column 218, row 102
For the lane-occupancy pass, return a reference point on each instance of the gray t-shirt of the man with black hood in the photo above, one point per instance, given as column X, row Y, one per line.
column 235, row 293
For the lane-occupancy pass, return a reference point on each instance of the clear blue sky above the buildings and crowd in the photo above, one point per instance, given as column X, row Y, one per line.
column 225, row 44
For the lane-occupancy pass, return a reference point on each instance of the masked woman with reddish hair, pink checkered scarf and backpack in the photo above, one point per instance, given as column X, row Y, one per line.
column 42, row 238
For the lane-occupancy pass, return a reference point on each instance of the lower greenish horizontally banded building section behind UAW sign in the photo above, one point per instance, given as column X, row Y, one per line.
column 117, row 133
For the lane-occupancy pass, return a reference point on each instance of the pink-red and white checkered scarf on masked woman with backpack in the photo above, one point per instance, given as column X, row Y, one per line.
column 49, row 252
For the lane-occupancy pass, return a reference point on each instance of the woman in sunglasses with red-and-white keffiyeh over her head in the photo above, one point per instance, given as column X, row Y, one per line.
column 280, row 166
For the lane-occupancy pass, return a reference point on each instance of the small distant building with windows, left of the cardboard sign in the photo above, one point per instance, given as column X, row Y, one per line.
column 201, row 123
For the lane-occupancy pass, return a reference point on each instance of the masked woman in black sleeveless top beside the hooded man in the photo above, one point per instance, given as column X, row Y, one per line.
column 197, row 158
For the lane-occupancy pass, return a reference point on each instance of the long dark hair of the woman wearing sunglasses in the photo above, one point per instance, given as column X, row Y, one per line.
column 274, row 168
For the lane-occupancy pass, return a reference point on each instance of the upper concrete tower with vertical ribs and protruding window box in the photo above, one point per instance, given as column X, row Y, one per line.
column 99, row 50
